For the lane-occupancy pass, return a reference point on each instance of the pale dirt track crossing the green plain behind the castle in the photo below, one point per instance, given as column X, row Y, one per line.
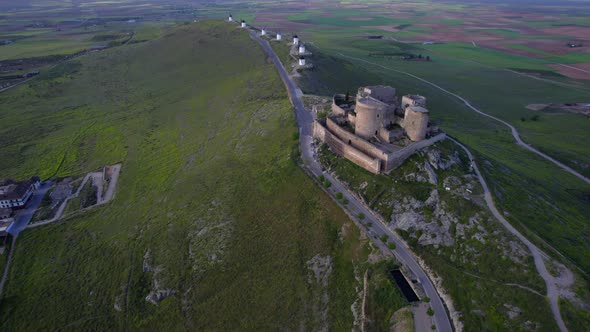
column 515, row 133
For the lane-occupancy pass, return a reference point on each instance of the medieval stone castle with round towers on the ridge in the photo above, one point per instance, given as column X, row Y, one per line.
column 375, row 130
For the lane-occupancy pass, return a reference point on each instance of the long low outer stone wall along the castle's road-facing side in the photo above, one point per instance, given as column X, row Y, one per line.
column 349, row 152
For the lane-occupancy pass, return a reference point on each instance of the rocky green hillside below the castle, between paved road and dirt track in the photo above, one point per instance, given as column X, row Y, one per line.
column 475, row 257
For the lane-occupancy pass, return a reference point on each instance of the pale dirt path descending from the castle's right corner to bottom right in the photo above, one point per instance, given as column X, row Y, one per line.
column 538, row 255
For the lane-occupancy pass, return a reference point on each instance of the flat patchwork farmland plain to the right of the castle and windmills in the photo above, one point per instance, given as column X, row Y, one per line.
column 537, row 197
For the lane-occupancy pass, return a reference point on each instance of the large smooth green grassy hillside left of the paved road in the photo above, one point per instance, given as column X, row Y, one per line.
column 210, row 203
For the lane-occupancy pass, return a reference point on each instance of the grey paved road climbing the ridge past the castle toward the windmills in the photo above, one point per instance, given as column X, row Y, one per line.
column 355, row 206
